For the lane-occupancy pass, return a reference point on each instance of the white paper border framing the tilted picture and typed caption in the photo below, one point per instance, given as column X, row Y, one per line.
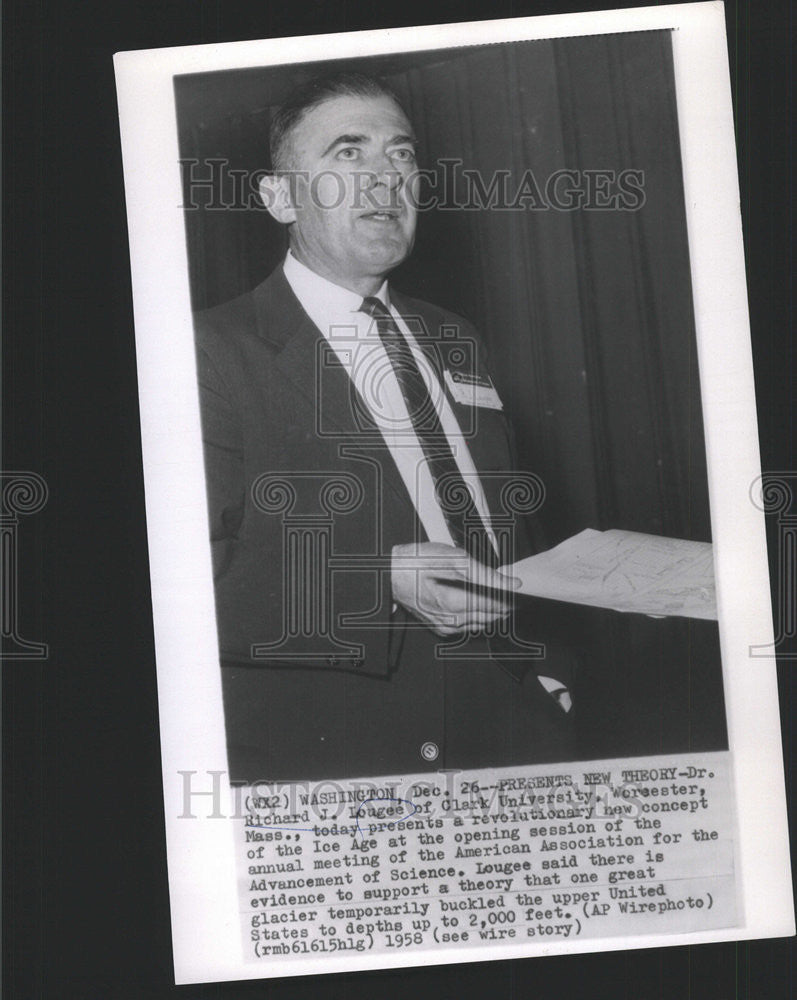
column 203, row 886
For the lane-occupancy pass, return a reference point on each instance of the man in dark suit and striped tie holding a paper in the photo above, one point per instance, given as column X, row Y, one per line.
column 357, row 457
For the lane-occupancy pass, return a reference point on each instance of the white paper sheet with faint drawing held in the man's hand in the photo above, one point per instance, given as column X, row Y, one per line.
column 624, row 571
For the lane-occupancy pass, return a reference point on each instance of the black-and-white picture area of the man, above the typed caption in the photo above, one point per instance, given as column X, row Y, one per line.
column 444, row 323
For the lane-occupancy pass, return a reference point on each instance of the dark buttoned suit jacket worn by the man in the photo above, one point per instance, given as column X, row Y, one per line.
column 320, row 676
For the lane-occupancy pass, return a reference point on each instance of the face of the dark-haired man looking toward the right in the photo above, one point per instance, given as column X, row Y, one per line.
column 354, row 219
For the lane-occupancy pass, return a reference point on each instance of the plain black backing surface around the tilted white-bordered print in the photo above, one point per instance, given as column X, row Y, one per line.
column 85, row 890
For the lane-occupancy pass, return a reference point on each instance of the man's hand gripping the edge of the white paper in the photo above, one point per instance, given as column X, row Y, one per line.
column 448, row 590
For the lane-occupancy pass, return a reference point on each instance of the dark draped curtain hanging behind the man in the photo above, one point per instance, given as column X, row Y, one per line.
column 587, row 314
